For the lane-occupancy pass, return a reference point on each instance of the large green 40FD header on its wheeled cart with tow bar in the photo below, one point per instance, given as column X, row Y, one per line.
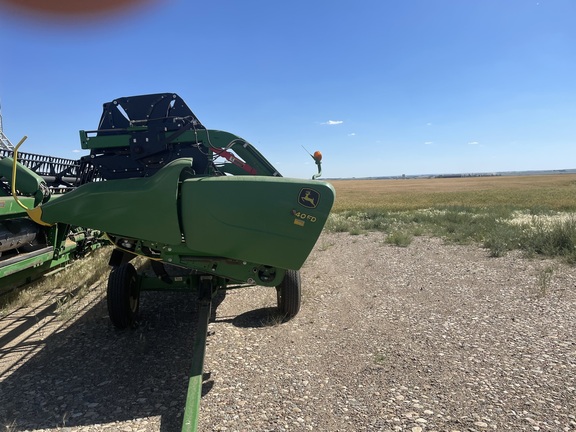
column 204, row 206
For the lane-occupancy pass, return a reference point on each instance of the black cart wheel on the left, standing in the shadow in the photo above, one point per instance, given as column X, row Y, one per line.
column 123, row 296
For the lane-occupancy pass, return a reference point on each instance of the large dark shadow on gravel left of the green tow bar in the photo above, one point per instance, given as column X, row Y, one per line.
column 91, row 373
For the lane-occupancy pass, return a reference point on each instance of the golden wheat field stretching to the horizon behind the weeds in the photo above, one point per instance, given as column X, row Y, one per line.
column 555, row 192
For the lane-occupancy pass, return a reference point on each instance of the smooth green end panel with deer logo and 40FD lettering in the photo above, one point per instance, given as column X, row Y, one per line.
column 266, row 220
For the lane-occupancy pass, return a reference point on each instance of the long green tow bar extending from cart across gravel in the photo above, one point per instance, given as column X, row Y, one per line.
column 192, row 410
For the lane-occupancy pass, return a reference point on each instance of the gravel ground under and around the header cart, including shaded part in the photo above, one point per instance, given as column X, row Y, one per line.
column 431, row 337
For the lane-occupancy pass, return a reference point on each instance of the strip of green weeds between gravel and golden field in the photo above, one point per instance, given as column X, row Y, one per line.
column 500, row 229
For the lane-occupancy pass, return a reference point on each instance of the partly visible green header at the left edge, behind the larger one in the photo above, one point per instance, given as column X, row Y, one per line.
column 29, row 250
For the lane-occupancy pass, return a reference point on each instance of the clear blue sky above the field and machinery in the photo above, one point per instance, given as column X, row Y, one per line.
column 380, row 87
